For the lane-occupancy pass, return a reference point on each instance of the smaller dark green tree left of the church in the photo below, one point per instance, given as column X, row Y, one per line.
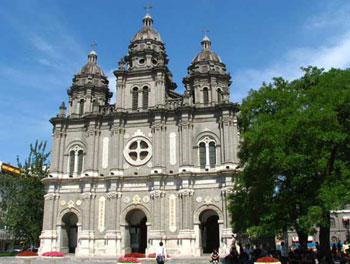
column 22, row 197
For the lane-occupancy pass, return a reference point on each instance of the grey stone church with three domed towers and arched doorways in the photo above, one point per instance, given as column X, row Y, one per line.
column 154, row 166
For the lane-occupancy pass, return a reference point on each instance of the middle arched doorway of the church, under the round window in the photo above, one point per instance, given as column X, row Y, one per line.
column 136, row 230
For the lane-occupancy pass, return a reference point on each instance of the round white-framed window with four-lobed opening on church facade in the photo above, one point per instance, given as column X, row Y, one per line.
column 138, row 151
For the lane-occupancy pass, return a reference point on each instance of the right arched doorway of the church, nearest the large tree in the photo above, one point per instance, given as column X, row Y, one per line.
column 209, row 230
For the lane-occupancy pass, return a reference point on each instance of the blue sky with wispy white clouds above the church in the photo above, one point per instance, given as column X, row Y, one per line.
column 45, row 42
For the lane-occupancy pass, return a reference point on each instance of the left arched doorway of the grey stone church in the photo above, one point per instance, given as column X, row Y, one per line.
column 69, row 233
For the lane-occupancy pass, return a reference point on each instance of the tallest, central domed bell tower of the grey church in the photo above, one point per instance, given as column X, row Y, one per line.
column 143, row 78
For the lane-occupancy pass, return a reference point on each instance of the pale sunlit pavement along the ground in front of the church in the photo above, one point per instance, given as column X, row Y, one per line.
column 73, row 260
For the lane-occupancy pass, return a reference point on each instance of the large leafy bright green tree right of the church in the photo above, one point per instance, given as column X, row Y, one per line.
column 295, row 155
